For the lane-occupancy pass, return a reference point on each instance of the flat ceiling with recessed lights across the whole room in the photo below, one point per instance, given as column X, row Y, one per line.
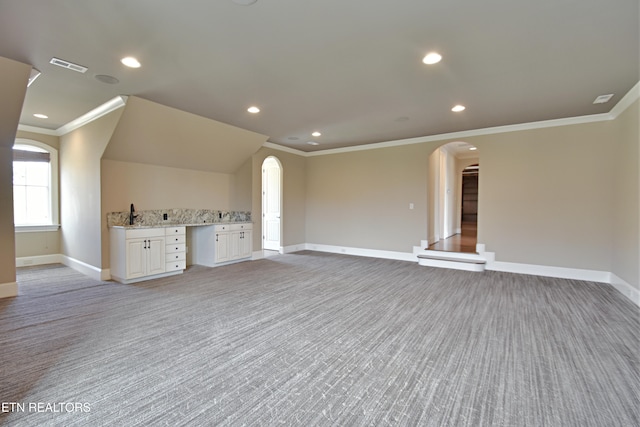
column 349, row 68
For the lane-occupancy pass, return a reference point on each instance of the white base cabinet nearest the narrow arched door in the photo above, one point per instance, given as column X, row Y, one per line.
column 220, row 244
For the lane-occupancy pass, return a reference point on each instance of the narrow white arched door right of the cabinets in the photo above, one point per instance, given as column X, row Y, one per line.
column 271, row 202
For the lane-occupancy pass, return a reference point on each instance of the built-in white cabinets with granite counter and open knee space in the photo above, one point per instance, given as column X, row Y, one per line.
column 155, row 245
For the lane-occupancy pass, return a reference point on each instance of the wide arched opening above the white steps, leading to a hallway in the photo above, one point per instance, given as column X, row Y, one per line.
column 453, row 198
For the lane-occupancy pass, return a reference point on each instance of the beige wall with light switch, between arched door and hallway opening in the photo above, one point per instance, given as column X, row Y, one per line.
column 361, row 199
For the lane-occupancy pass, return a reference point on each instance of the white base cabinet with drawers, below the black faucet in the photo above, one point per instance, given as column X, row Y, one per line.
column 140, row 254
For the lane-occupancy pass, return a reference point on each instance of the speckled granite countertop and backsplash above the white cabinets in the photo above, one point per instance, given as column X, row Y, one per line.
column 177, row 217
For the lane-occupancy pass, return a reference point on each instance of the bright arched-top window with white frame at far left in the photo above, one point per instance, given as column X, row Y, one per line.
column 35, row 186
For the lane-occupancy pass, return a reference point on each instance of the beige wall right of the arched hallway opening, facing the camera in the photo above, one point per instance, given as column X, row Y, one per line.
column 545, row 196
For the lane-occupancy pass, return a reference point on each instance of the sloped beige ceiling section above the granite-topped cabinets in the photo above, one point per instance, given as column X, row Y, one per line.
column 155, row 134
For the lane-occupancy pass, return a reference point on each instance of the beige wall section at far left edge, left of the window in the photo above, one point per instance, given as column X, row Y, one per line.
column 13, row 86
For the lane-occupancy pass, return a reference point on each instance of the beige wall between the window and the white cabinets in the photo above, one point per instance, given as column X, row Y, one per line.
column 84, row 233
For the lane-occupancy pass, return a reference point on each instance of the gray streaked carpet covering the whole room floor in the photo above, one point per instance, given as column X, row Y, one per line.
column 313, row 339
